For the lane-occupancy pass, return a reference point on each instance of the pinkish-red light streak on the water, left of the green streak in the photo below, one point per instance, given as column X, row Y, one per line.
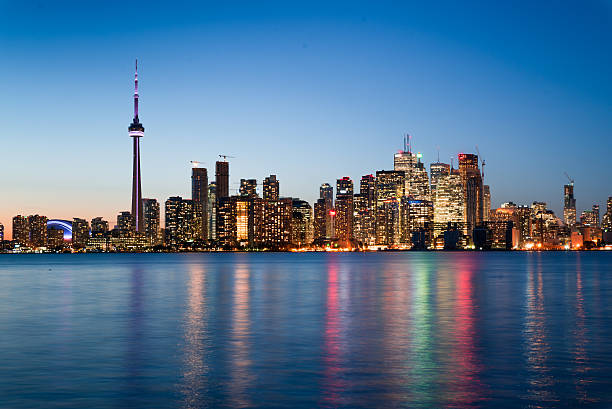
column 334, row 385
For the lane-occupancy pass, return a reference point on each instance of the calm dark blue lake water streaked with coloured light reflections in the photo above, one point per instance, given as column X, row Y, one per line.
column 306, row 330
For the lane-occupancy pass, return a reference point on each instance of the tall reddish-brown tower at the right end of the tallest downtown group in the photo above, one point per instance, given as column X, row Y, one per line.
column 472, row 190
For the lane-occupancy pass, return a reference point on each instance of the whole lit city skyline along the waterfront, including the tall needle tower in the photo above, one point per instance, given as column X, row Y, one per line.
column 401, row 208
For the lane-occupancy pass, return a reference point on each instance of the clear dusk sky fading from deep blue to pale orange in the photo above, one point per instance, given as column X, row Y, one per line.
column 308, row 91
